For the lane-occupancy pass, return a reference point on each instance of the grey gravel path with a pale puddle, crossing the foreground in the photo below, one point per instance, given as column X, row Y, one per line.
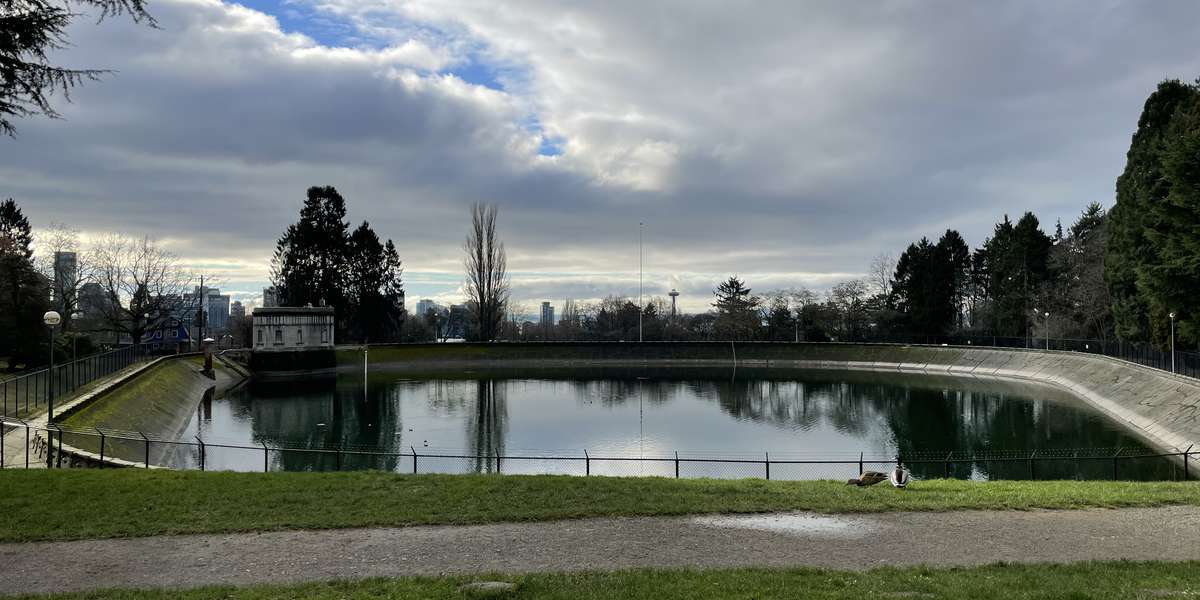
column 845, row 542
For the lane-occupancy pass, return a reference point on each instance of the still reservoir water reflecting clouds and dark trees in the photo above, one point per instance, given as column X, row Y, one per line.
column 644, row 413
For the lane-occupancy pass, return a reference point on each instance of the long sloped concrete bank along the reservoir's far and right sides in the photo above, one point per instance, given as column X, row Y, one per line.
column 1162, row 409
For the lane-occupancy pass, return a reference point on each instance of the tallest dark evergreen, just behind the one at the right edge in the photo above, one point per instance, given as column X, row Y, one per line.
column 1142, row 190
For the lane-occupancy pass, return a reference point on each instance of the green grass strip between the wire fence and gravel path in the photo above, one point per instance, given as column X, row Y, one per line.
column 76, row 505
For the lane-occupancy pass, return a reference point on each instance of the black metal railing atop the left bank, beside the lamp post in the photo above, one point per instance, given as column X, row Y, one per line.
column 28, row 393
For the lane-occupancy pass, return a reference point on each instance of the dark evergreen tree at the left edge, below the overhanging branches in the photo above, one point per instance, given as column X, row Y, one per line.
column 23, row 292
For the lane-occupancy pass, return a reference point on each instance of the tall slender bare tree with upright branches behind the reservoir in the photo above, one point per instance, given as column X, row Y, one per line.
column 488, row 281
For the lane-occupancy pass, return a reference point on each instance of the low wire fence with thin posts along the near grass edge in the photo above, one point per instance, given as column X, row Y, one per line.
column 27, row 446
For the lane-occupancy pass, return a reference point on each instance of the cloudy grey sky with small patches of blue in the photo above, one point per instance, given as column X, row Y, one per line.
column 788, row 143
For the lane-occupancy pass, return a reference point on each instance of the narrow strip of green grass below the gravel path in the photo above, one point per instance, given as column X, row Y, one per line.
column 1120, row 580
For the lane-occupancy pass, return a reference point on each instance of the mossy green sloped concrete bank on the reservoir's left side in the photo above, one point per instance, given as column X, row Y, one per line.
column 160, row 401
